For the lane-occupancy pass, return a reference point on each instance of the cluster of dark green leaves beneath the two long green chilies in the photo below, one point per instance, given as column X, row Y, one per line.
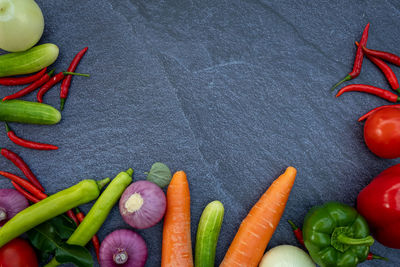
column 49, row 239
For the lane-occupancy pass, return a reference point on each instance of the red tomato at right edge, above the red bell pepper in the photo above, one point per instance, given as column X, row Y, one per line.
column 382, row 132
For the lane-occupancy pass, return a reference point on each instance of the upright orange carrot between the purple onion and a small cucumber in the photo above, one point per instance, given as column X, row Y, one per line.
column 176, row 243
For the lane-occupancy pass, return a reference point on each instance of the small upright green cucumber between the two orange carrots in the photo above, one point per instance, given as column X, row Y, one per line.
column 207, row 234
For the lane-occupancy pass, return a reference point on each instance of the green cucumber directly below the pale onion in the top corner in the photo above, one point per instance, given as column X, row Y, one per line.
column 28, row 61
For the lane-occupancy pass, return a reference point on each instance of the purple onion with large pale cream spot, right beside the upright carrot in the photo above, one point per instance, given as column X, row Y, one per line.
column 142, row 204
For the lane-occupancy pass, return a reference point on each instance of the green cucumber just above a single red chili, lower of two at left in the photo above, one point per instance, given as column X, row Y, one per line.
column 28, row 112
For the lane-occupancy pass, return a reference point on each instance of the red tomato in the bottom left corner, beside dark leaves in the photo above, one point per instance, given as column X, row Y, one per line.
column 18, row 253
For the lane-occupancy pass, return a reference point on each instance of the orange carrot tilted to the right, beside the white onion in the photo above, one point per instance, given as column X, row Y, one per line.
column 251, row 240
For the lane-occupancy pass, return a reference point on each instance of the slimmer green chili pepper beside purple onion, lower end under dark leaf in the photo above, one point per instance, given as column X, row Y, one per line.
column 99, row 212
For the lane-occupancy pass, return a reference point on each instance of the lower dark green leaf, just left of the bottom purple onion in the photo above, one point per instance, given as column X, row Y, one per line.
column 77, row 255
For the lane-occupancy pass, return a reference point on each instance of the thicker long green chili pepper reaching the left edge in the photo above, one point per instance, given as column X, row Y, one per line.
column 52, row 206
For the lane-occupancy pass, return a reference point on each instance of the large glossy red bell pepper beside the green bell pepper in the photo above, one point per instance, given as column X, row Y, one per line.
column 379, row 203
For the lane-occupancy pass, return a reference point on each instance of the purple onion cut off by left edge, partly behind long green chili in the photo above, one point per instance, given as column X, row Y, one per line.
column 11, row 202
